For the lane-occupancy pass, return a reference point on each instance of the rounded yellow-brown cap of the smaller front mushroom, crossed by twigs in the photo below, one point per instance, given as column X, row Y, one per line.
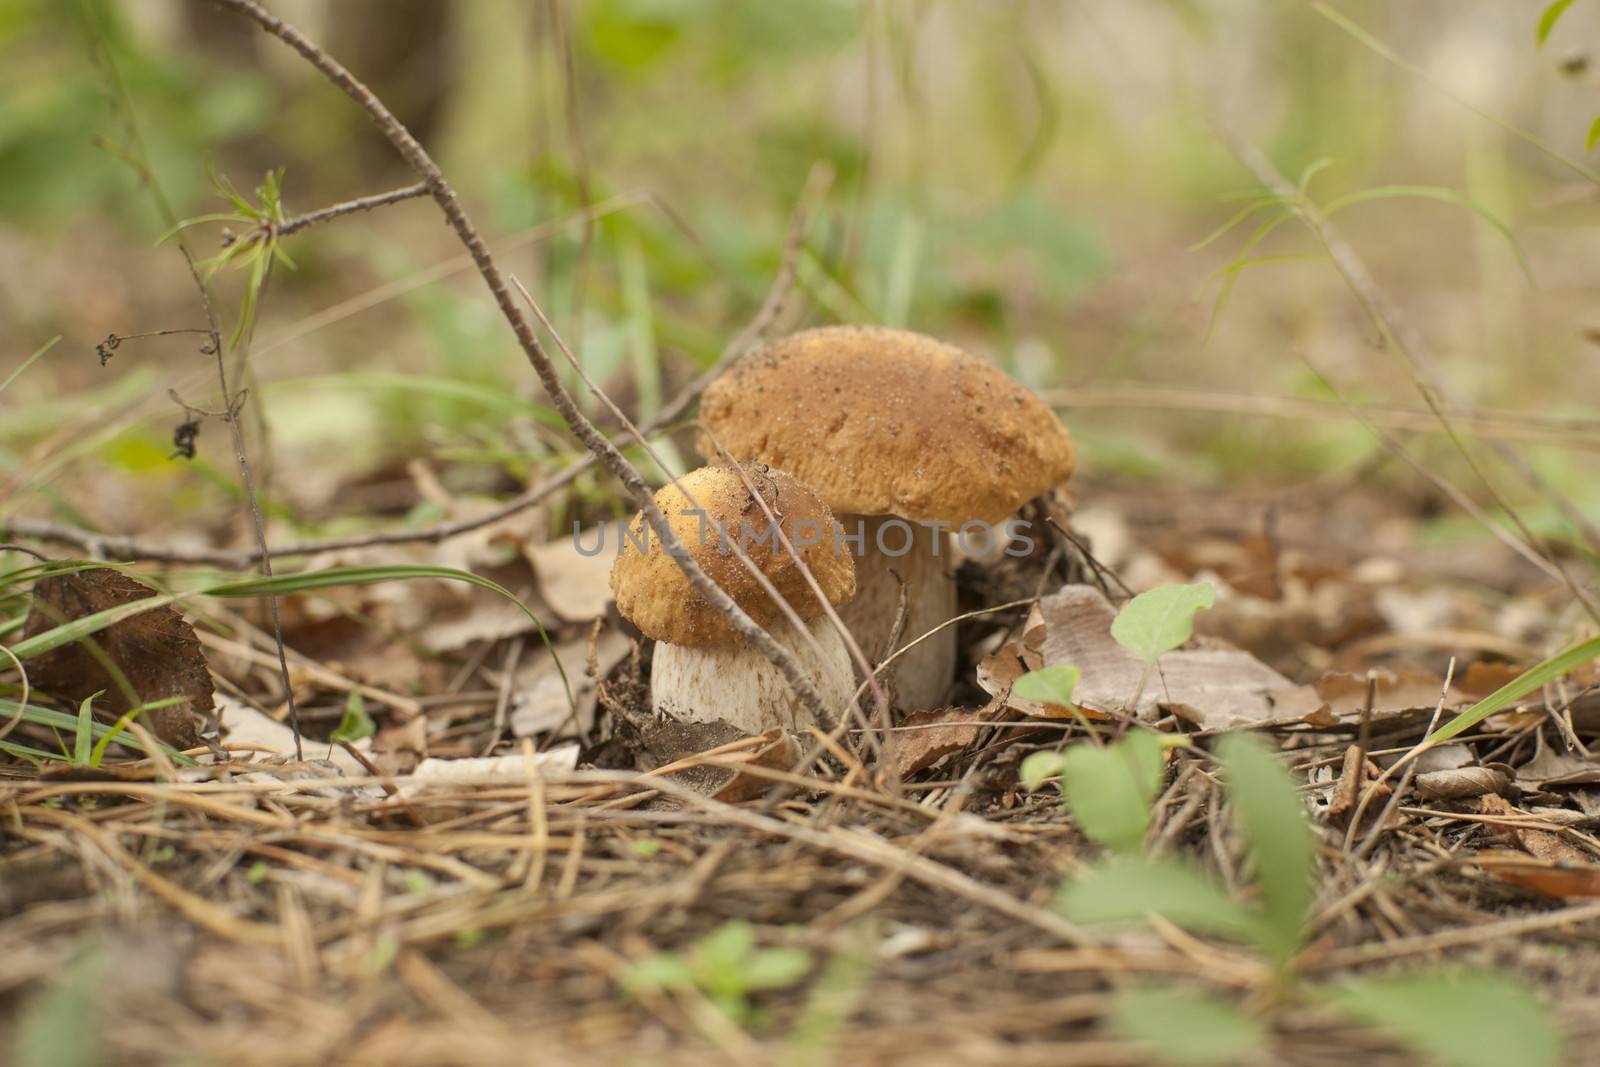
column 655, row 596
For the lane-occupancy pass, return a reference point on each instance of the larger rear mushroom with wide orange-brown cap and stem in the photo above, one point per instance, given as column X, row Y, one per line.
column 908, row 441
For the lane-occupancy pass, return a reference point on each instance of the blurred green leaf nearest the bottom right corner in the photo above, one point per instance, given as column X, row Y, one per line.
column 1458, row 1018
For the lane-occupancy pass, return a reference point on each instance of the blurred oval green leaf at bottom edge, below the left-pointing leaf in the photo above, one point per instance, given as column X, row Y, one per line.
column 1186, row 1028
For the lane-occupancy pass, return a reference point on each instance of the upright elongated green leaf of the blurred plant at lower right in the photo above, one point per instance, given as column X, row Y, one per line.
column 1273, row 820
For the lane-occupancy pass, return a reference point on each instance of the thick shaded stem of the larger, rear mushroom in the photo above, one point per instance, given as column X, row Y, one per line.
column 897, row 551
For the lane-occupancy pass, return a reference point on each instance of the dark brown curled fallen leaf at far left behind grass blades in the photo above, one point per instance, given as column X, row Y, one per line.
column 146, row 658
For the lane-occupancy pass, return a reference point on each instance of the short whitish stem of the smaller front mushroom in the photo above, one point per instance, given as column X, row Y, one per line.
column 742, row 687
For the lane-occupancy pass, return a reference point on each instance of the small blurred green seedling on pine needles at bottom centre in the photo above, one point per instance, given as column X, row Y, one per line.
column 727, row 967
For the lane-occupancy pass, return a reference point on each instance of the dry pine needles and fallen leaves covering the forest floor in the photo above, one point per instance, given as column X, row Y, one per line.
column 500, row 885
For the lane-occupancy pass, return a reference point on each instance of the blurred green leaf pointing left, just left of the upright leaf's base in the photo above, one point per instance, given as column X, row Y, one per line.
column 1130, row 890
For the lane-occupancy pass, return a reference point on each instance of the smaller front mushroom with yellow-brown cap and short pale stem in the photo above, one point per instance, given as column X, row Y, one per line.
column 703, row 669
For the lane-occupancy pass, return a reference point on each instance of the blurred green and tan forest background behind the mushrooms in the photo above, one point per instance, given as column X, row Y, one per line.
column 1023, row 177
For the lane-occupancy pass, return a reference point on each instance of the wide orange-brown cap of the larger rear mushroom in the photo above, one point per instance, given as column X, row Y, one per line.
column 890, row 423
